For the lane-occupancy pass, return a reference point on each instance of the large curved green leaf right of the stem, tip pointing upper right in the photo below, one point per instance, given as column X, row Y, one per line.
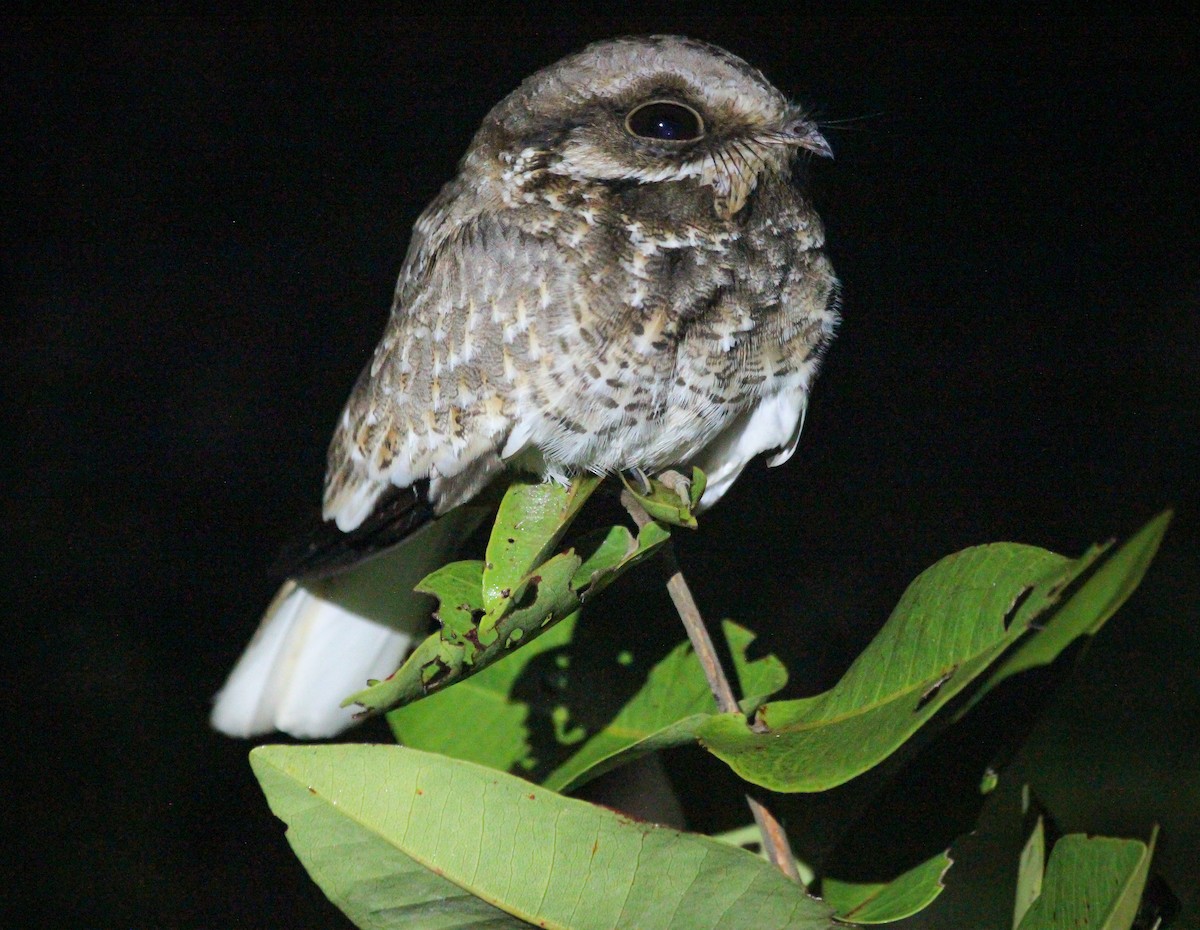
column 955, row 621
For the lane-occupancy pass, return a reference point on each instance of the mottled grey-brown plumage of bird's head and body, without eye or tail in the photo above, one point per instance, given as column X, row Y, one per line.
column 580, row 298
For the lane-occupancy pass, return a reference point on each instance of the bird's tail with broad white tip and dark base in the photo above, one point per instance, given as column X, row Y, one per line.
column 322, row 640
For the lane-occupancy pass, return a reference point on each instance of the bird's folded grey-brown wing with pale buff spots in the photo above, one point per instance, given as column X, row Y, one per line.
column 445, row 388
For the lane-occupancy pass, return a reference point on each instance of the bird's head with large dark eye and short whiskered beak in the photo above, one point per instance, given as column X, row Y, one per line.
column 650, row 111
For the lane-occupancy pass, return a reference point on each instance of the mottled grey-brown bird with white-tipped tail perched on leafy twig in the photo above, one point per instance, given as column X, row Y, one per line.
column 626, row 274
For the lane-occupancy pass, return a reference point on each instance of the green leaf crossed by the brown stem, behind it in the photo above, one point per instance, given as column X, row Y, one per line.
column 669, row 710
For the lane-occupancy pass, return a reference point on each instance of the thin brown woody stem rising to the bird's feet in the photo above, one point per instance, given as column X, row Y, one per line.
column 775, row 839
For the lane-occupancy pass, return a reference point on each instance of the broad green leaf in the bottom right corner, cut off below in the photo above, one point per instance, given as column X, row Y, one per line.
column 1091, row 884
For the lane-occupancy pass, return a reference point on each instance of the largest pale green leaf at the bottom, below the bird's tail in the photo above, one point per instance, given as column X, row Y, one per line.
column 387, row 830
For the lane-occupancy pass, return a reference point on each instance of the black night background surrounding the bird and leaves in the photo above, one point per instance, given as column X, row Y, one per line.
column 202, row 226
